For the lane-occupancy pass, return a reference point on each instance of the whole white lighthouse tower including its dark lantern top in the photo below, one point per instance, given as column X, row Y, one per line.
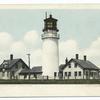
column 50, row 57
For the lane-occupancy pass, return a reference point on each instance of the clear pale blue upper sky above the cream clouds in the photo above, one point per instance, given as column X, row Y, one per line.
column 75, row 24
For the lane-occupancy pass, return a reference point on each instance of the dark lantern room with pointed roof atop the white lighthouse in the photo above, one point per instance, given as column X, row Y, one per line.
column 50, row 24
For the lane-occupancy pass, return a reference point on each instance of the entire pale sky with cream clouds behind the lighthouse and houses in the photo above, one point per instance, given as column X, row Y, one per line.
column 20, row 33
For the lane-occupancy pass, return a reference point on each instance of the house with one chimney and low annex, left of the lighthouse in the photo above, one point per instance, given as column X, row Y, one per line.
column 18, row 69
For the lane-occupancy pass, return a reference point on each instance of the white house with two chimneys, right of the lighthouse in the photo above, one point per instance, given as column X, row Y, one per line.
column 78, row 69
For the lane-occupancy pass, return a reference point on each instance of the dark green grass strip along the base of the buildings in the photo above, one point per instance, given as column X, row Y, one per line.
column 67, row 81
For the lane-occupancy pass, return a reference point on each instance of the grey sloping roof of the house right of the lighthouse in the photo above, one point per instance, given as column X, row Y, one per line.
column 85, row 64
